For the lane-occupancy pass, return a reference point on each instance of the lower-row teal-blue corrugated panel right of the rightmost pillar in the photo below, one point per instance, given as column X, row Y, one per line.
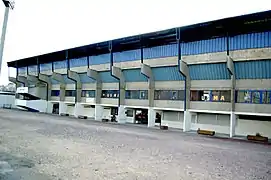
column 253, row 69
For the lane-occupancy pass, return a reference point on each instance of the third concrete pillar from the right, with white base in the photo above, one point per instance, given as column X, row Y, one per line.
column 147, row 71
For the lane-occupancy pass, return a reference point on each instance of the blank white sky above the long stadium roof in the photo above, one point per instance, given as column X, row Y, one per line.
column 42, row 26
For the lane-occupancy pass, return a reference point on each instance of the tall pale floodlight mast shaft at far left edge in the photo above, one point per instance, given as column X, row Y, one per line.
column 3, row 36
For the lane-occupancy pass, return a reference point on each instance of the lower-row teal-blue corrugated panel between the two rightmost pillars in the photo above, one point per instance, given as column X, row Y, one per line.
column 209, row 71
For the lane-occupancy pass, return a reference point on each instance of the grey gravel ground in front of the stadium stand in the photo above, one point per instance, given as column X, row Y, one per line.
column 38, row 146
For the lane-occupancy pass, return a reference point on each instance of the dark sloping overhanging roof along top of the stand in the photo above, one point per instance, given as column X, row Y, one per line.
column 244, row 24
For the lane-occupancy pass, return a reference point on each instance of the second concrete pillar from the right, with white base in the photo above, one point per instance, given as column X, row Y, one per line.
column 184, row 70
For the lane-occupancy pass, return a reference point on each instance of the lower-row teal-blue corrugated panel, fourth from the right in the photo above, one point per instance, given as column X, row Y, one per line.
column 134, row 75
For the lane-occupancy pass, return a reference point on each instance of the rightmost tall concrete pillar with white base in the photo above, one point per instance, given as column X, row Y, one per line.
column 230, row 68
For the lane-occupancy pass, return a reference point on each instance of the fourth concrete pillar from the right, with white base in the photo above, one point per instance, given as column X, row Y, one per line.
column 117, row 73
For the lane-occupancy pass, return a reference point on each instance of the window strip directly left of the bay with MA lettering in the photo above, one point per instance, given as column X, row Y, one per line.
column 169, row 95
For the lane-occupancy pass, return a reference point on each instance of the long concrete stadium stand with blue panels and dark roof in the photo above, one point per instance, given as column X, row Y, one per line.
column 214, row 75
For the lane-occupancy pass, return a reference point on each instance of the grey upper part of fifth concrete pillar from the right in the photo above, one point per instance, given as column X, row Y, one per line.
column 93, row 74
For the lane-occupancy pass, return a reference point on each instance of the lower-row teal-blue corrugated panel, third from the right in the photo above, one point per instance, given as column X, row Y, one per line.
column 167, row 74
